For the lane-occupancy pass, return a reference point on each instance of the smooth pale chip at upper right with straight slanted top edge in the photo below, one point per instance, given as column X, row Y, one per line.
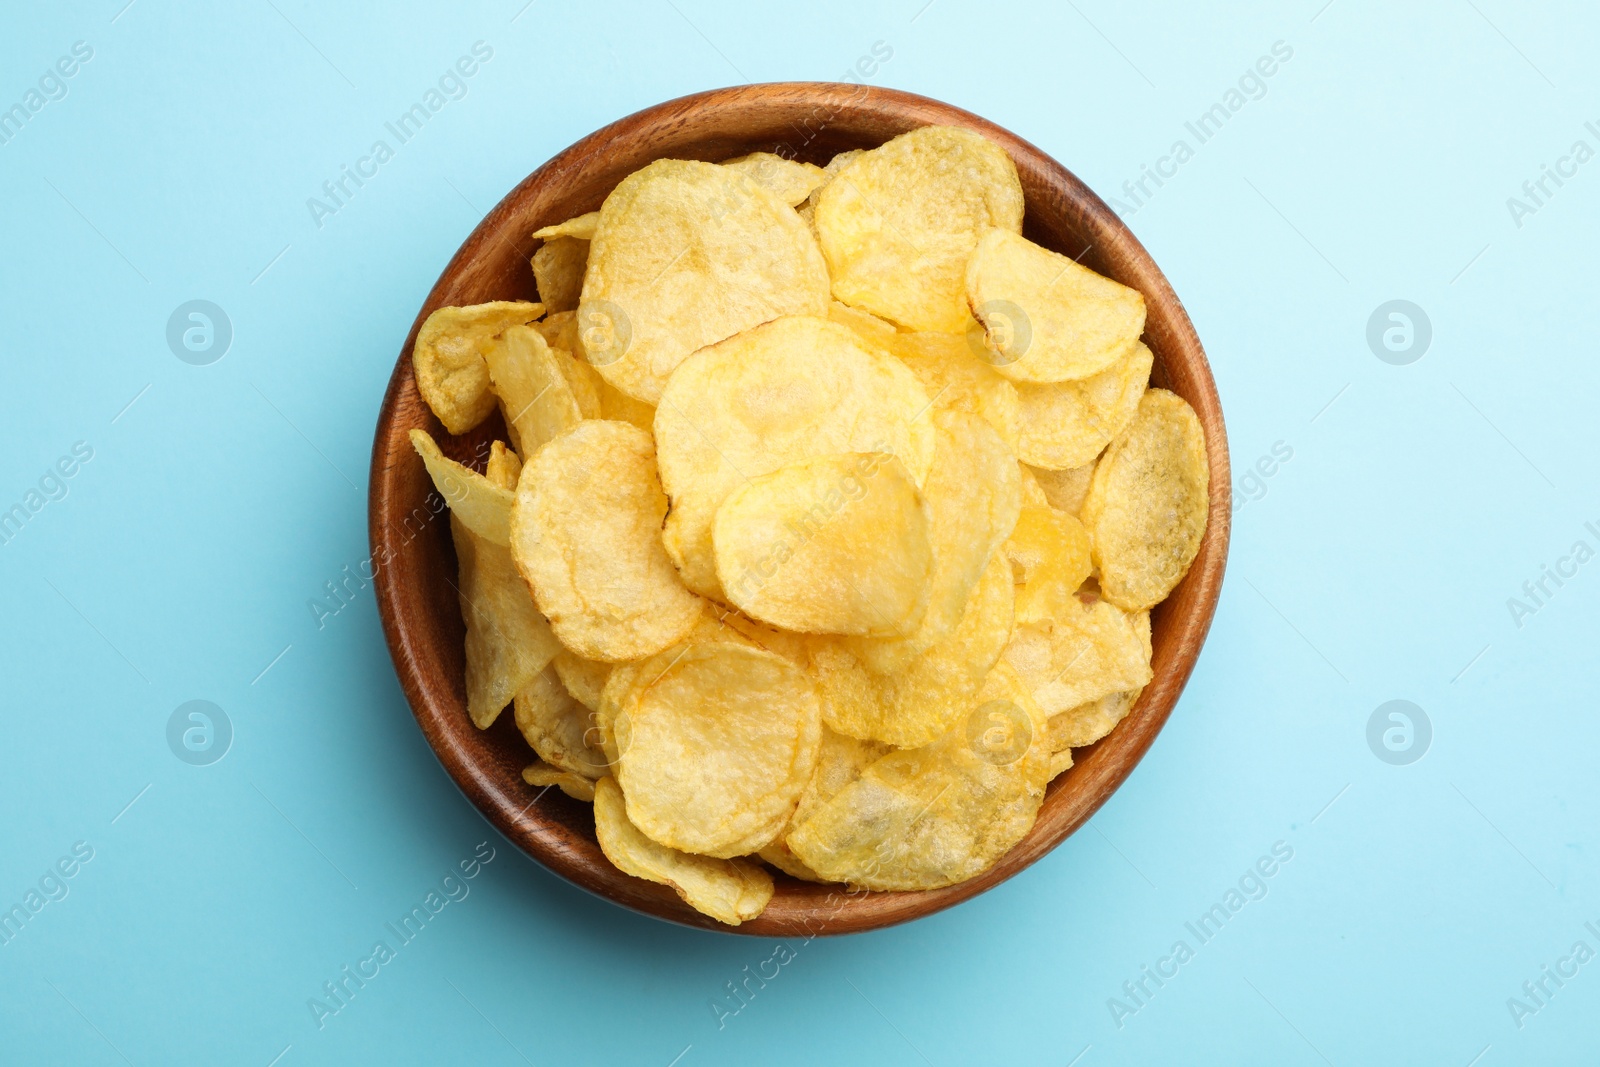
column 1046, row 318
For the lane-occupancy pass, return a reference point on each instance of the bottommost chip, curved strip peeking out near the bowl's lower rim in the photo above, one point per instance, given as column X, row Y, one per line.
column 729, row 890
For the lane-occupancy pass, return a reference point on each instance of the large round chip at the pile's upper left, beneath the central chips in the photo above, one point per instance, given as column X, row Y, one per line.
column 690, row 254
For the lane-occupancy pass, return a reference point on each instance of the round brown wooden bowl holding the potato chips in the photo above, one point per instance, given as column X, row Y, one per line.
column 417, row 564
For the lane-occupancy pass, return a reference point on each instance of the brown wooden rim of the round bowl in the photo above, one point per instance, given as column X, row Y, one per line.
column 807, row 909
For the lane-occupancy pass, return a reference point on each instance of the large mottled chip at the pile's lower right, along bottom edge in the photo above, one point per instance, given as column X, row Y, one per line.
column 934, row 817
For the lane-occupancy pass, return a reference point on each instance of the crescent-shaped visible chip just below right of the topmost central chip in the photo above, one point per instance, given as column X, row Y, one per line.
column 918, row 705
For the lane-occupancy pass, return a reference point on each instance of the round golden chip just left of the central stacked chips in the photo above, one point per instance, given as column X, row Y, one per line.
column 585, row 533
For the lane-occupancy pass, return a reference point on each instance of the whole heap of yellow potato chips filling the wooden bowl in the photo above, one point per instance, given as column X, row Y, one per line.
column 831, row 518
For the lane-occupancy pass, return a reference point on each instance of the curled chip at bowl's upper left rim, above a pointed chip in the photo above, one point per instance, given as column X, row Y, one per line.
column 449, row 359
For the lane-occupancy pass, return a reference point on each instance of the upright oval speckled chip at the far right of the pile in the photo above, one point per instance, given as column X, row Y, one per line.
column 1150, row 502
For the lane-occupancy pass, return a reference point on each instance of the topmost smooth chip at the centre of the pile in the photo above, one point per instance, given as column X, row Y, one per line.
column 831, row 545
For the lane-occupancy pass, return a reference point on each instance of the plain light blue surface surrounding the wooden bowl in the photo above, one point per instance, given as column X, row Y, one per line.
column 1375, row 567
